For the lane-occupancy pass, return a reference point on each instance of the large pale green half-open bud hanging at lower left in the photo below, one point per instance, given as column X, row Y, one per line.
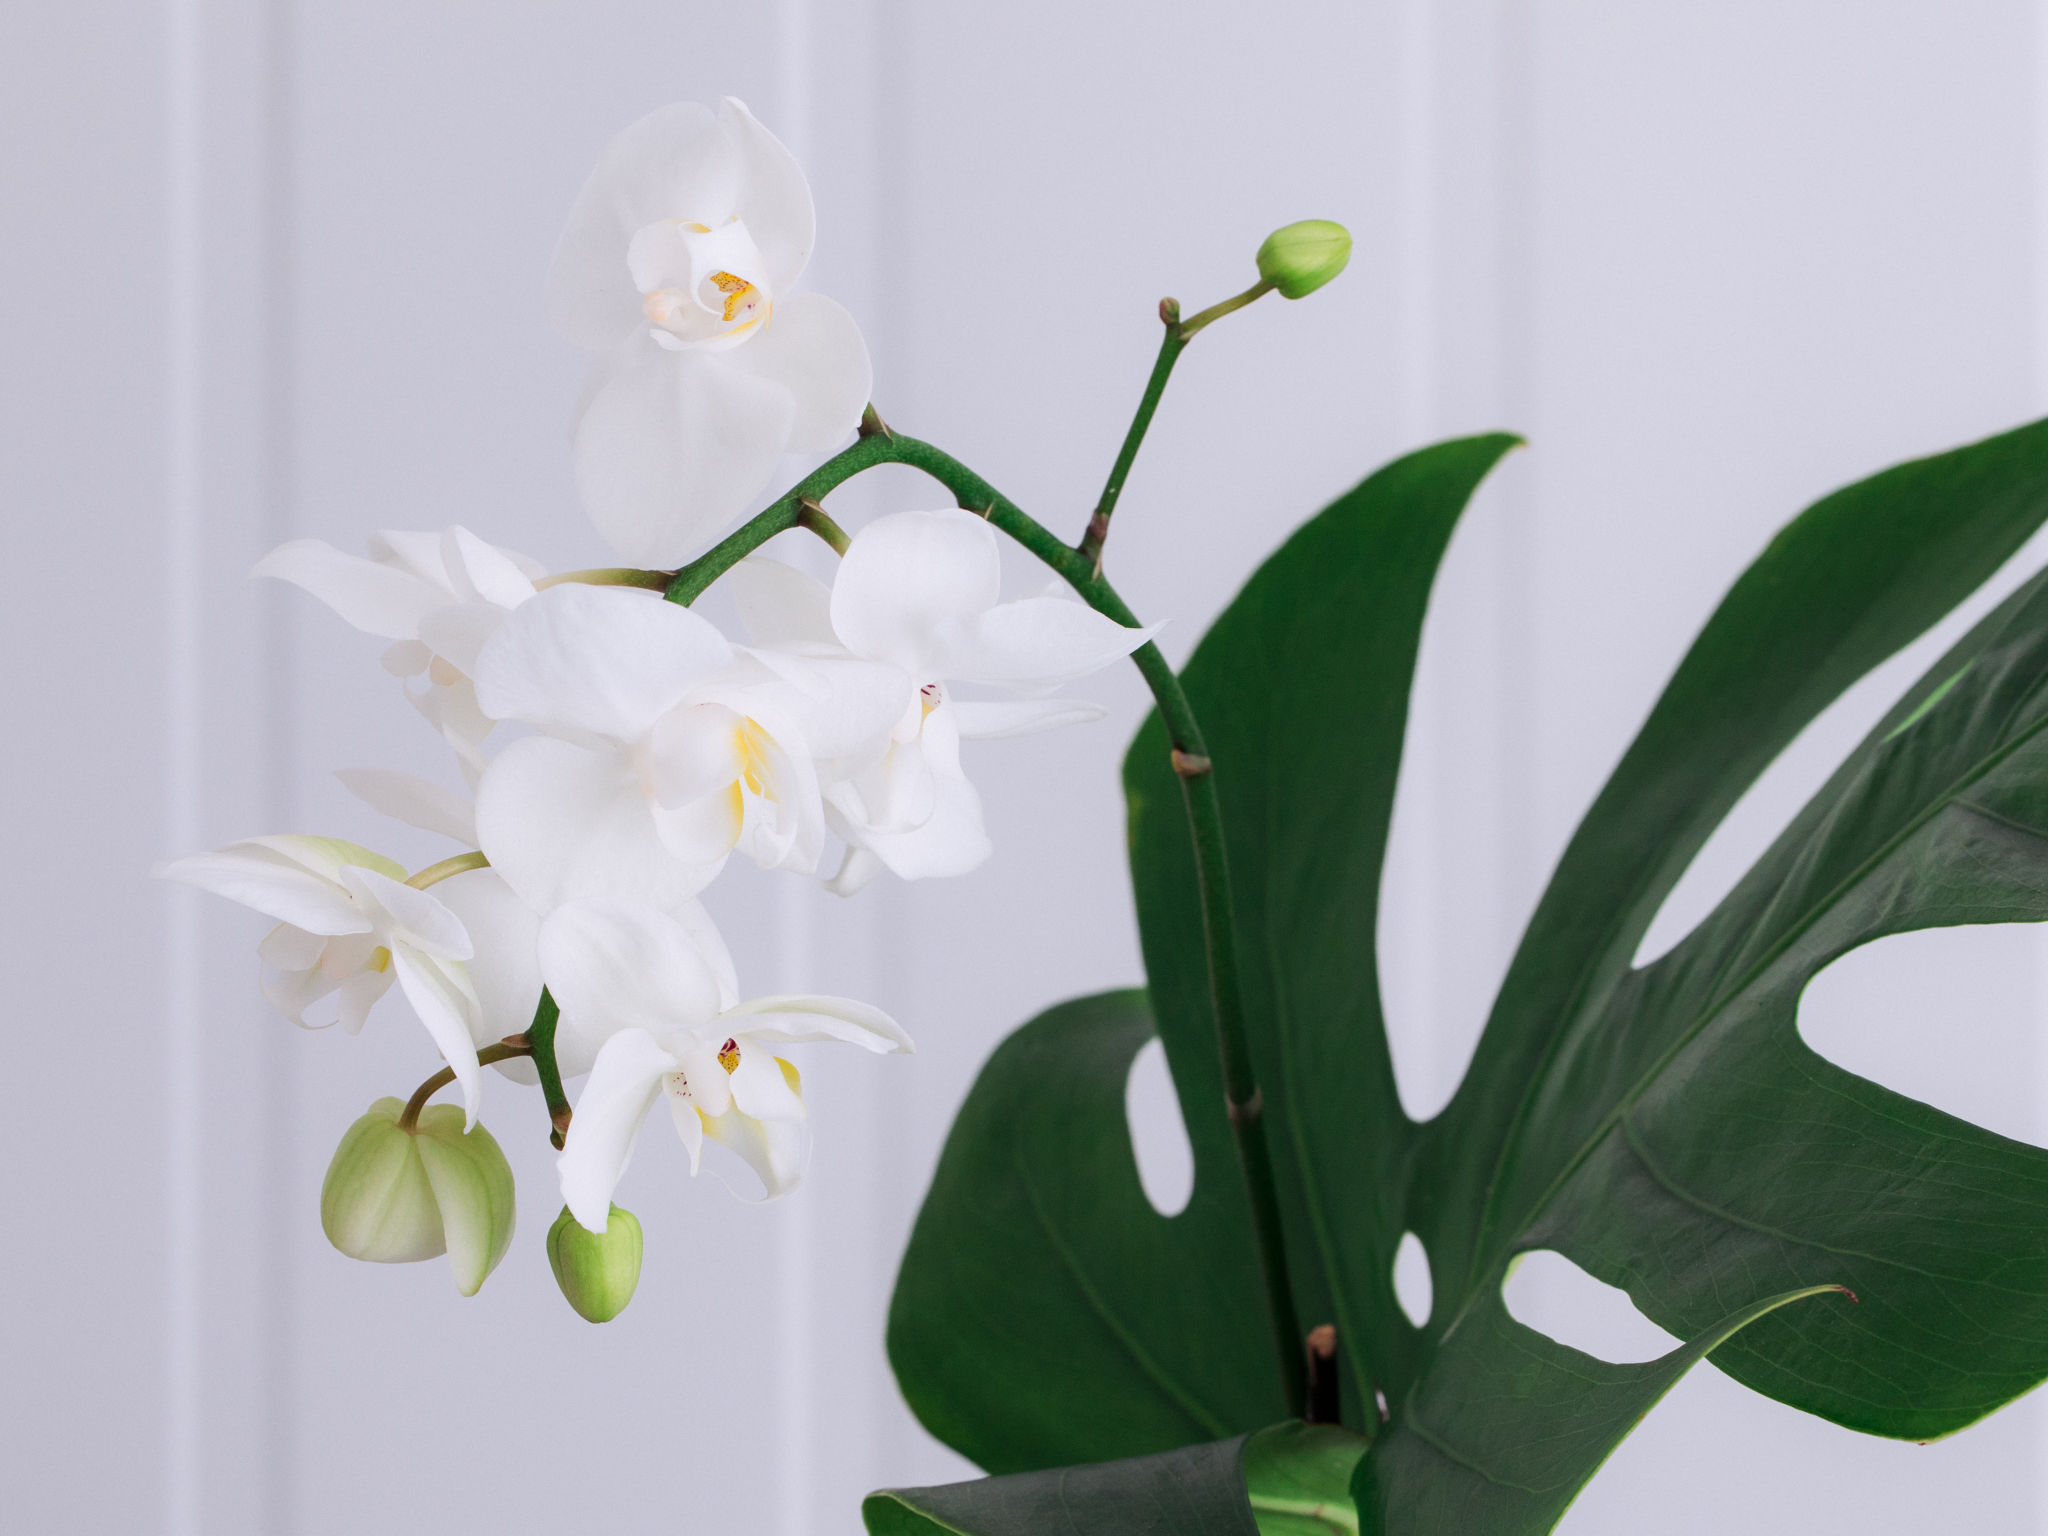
column 398, row 1195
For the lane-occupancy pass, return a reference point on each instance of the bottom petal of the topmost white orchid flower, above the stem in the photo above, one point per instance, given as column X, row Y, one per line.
column 673, row 447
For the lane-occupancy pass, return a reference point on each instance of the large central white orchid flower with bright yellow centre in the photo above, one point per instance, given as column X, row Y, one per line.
column 663, row 749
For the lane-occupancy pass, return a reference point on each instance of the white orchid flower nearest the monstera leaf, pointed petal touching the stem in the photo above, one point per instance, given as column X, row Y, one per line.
column 921, row 593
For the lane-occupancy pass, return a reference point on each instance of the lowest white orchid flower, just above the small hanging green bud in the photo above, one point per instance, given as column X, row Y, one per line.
column 671, row 1031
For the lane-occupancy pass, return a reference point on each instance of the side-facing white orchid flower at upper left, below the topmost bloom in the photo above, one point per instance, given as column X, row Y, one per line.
column 437, row 597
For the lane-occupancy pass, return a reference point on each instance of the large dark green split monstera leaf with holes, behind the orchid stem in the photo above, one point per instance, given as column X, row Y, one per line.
column 1828, row 1242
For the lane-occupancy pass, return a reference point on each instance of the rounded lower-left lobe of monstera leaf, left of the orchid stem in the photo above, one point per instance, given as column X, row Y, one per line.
column 1046, row 1314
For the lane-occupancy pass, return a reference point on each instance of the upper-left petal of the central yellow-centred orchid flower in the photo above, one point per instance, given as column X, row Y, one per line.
column 597, row 658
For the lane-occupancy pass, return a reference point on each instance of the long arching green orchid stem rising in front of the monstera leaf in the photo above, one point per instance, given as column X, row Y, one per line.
column 1244, row 1105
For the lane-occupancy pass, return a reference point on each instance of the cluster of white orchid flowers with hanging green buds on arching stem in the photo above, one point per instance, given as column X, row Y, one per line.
column 620, row 751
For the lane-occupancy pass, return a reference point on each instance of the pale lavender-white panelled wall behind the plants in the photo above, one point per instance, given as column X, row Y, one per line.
column 273, row 269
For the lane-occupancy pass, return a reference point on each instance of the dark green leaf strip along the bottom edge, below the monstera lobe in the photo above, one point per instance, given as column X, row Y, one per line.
column 1195, row 1492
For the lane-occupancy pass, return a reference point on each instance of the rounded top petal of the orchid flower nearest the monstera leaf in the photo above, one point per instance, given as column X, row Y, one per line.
column 910, row 577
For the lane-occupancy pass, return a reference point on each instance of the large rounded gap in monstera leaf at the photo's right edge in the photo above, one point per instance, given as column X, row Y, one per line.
column 1949, row 1017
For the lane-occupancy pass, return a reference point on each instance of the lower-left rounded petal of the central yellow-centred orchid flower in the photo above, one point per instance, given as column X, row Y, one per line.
column 560, row 822
